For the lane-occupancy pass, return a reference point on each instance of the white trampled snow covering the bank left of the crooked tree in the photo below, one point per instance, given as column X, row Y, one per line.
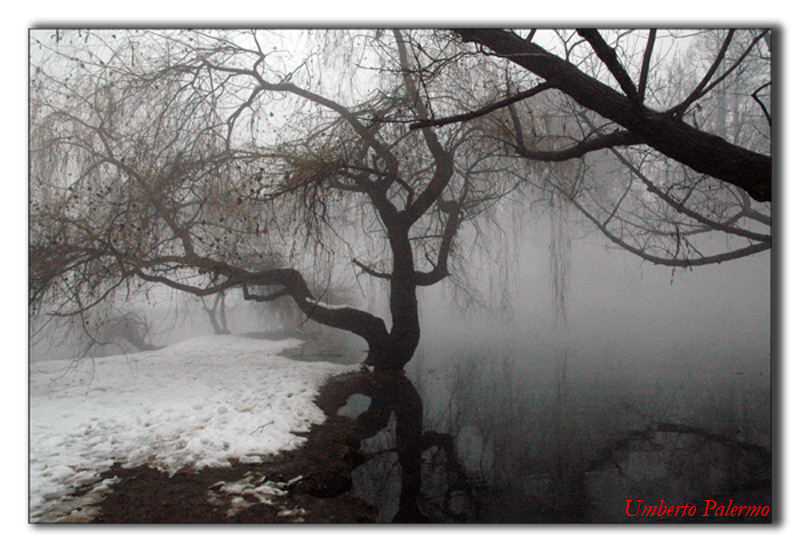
column 197, row 403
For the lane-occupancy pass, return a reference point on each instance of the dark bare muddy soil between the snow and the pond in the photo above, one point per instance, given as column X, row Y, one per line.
column 145, row 494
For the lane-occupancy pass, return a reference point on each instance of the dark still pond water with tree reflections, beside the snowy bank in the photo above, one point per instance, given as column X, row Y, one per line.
column 490, row 439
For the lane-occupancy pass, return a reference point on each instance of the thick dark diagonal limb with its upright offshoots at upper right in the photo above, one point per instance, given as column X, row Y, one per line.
column 664, row 131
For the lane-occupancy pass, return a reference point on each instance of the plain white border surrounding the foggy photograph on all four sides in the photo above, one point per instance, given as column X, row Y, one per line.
column 18, row 17
